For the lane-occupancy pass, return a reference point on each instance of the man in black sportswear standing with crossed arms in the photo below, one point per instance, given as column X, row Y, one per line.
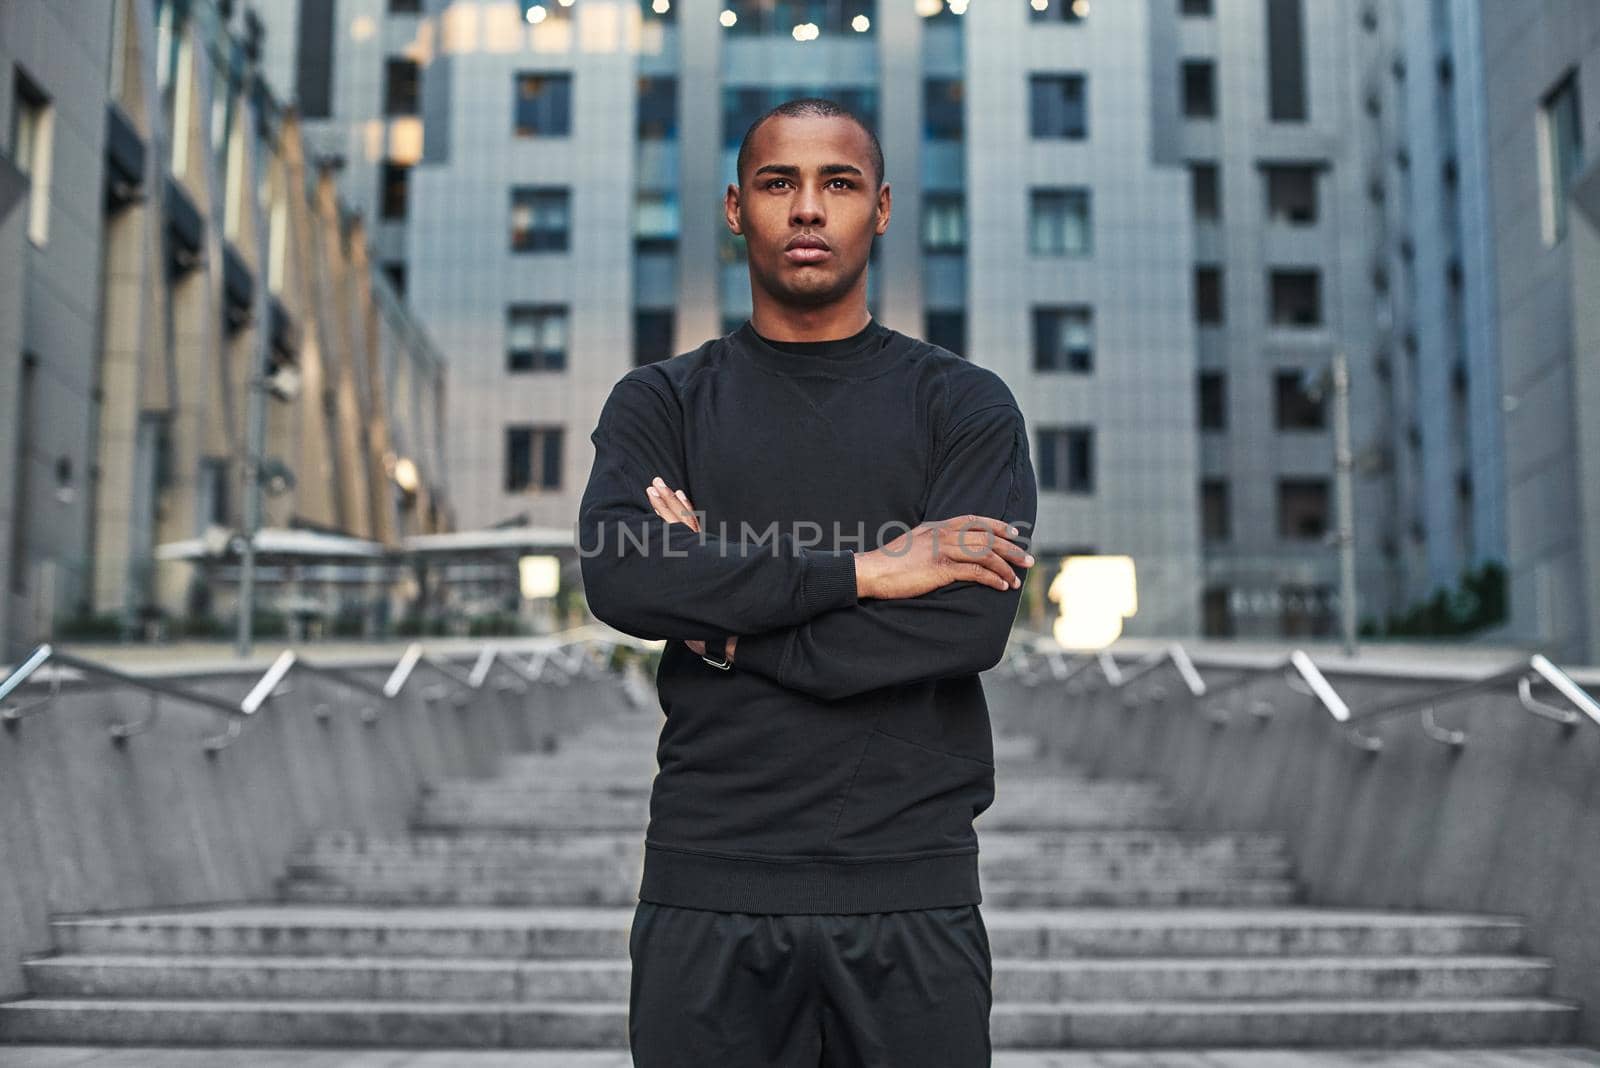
column 810, row 887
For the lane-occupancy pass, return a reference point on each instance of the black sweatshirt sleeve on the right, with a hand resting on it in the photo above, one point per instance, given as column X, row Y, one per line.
column 959, row 629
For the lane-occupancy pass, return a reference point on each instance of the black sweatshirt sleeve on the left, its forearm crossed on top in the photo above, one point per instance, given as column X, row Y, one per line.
column 655, row 580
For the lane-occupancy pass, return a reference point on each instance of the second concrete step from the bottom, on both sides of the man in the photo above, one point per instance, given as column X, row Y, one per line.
column 474, row 979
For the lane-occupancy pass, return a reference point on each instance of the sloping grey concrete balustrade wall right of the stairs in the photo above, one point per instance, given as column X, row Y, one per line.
column 1508, row 823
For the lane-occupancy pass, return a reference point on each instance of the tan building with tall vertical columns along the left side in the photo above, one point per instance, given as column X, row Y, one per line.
column 169, row 258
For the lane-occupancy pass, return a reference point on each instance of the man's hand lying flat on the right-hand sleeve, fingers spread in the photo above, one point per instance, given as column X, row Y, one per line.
column 940, row 552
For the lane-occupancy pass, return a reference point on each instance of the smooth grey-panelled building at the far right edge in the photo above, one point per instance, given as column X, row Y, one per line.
column 1542, row 74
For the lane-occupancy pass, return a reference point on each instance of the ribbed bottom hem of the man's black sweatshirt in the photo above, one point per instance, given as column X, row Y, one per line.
column 695, row 880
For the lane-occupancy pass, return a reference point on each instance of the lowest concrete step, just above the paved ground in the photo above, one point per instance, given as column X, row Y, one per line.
column 604, row 1024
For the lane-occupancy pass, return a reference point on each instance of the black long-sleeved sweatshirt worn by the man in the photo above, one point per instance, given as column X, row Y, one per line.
column 838, row 767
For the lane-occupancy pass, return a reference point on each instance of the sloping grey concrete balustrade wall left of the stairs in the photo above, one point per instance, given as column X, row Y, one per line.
column 153, row 821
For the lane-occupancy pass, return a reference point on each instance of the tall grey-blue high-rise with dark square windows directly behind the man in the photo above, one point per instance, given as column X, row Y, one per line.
column 1159, row 221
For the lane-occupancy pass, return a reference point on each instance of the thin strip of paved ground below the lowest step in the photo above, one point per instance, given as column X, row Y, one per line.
column 94, row 1058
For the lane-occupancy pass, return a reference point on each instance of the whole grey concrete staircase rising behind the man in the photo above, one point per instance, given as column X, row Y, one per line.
column 503, row 919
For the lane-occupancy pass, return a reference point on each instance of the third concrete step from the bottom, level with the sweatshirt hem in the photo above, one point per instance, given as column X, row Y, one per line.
column 286, row 930
